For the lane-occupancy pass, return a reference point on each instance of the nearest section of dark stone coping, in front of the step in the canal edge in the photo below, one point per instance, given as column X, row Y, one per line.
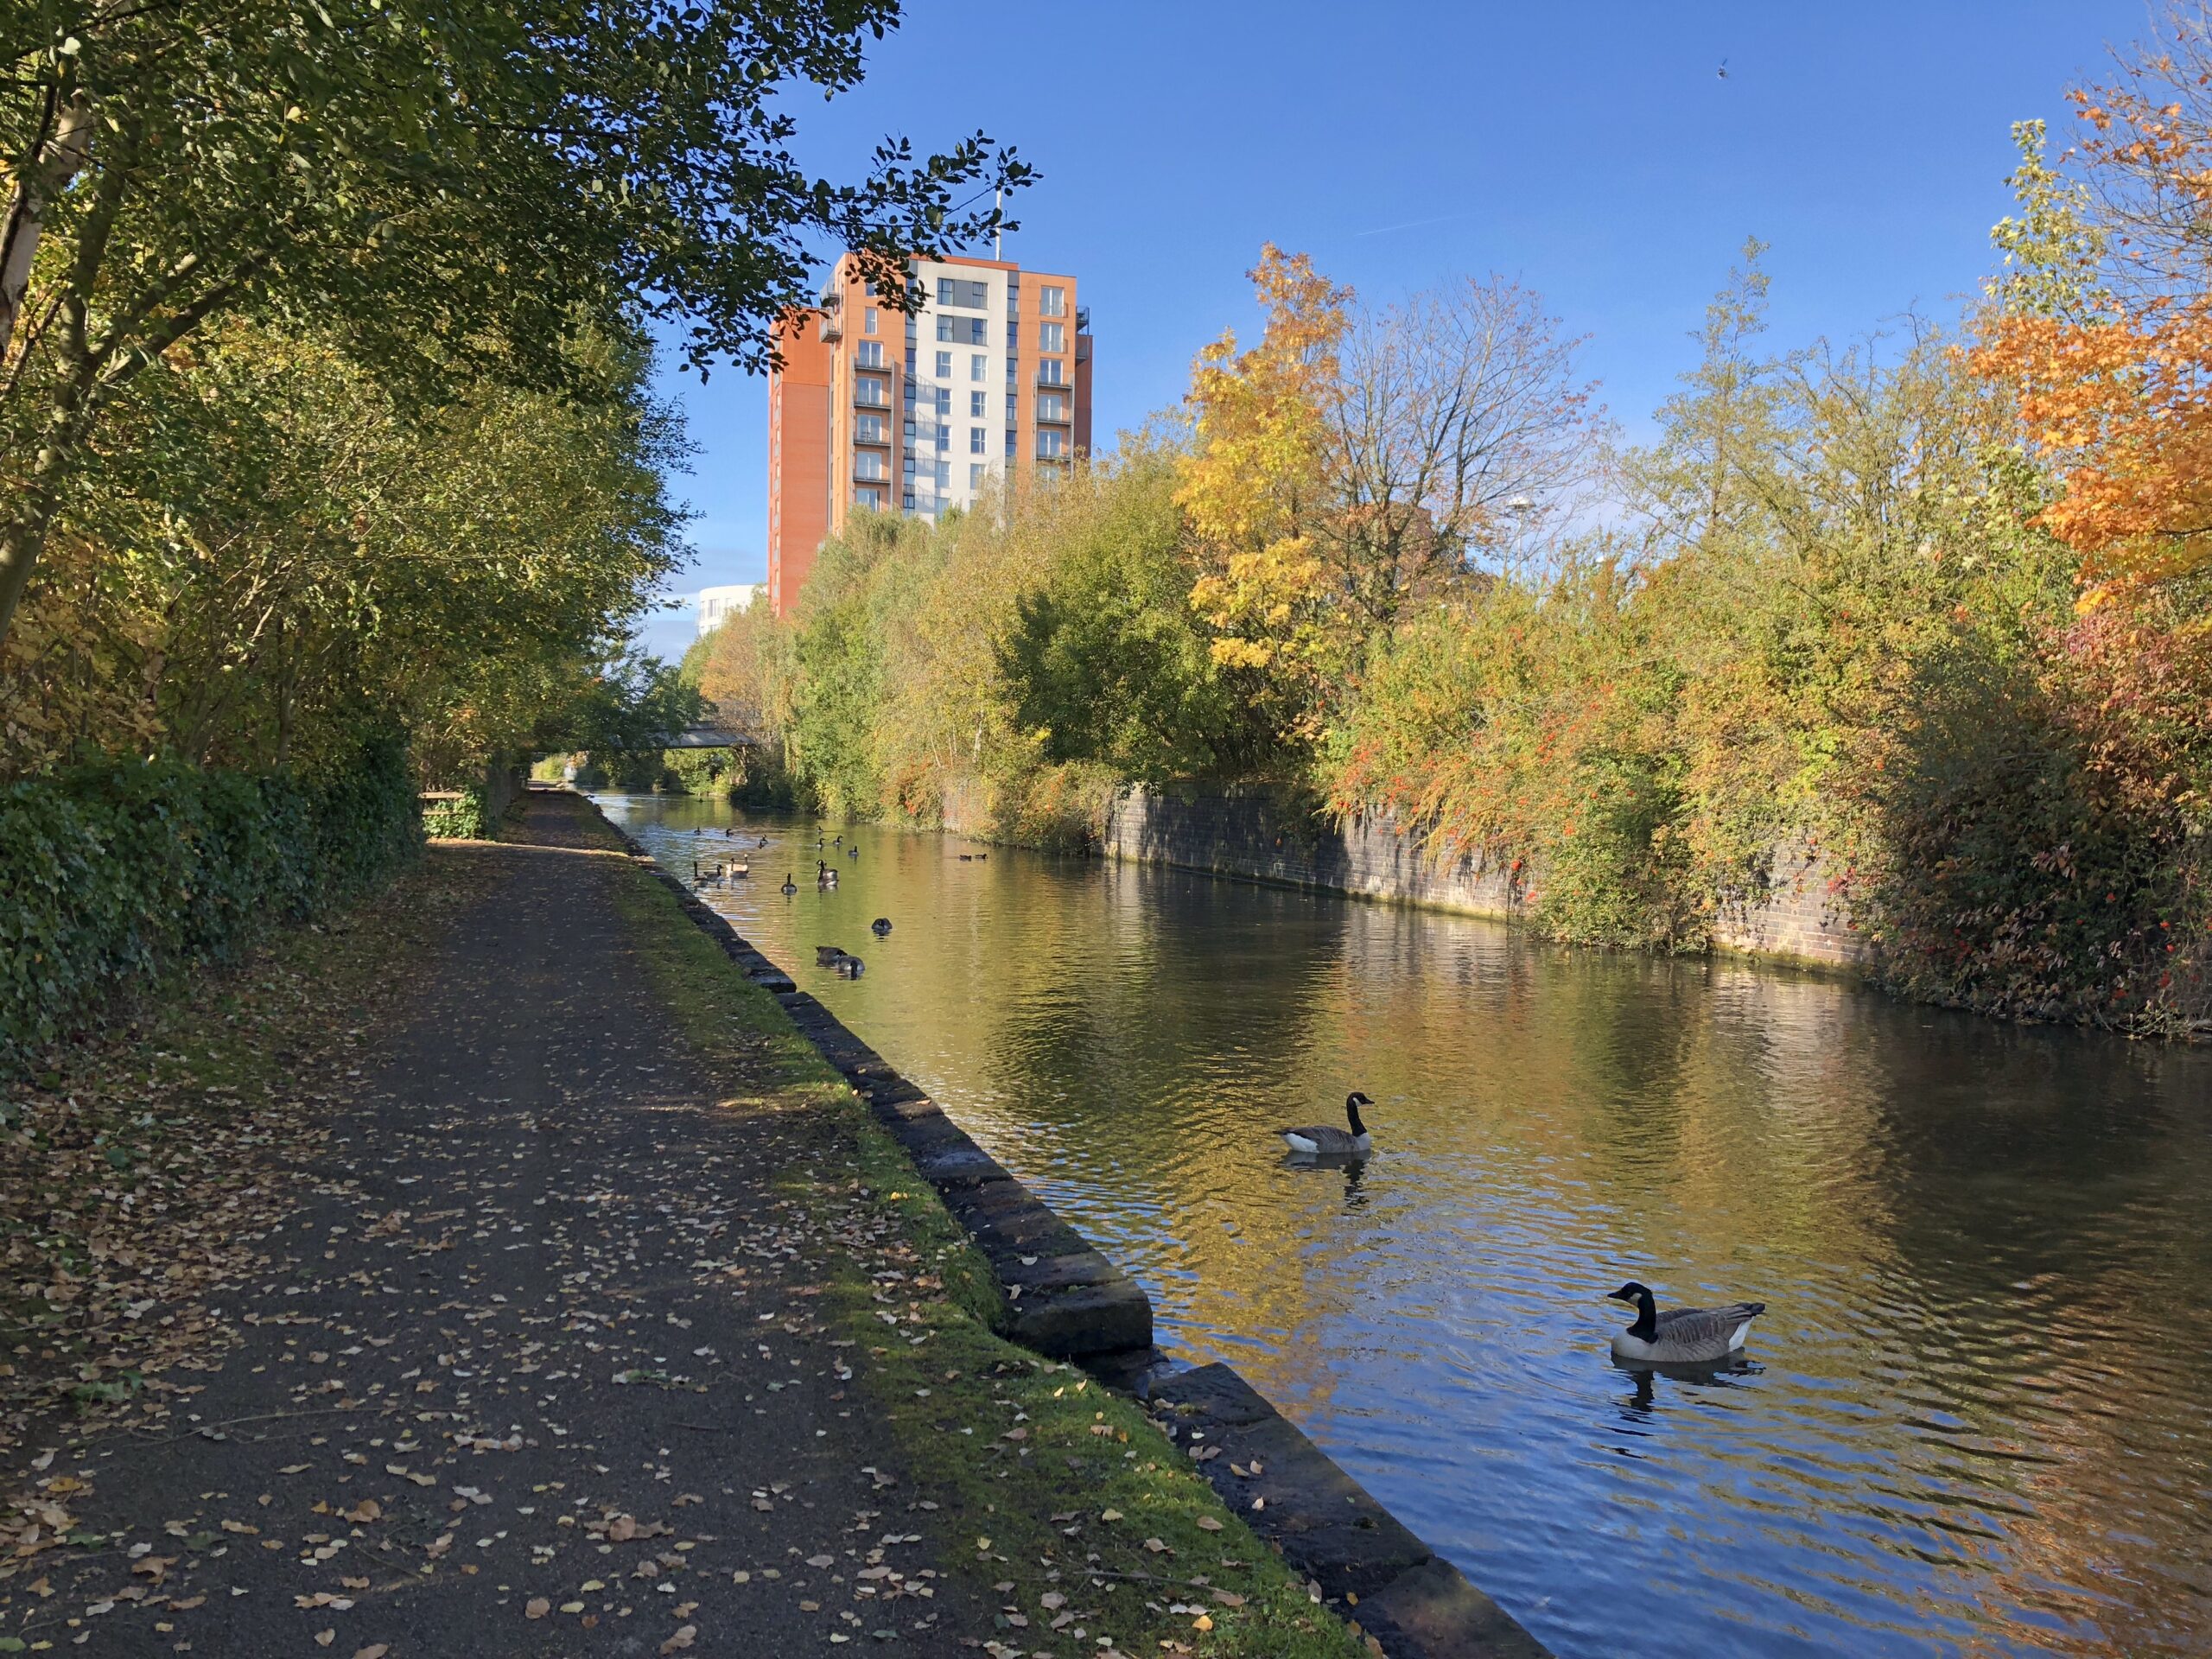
column 1328, row 1527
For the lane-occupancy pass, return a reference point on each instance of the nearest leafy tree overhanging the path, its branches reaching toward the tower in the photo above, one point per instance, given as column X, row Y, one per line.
column 446, row 189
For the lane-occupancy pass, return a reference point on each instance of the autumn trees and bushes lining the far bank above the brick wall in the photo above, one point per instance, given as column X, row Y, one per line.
column 1934, row 605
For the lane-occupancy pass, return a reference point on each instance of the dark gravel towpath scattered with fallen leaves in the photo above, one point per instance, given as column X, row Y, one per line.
column 530, row 1373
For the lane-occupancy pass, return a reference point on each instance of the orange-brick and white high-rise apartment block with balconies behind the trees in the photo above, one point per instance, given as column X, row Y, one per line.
column 875, row 413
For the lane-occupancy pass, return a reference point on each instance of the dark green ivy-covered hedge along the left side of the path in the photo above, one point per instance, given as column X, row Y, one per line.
column 121, row 870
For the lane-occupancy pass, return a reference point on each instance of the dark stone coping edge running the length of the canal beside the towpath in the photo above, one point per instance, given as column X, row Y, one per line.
column 1067, row 1302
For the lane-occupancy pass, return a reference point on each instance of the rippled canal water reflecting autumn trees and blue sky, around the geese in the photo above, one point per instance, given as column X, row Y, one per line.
column 1974, row 1419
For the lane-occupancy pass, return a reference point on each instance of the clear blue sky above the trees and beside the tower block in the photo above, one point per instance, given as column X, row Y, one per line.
column 1589, row 152
